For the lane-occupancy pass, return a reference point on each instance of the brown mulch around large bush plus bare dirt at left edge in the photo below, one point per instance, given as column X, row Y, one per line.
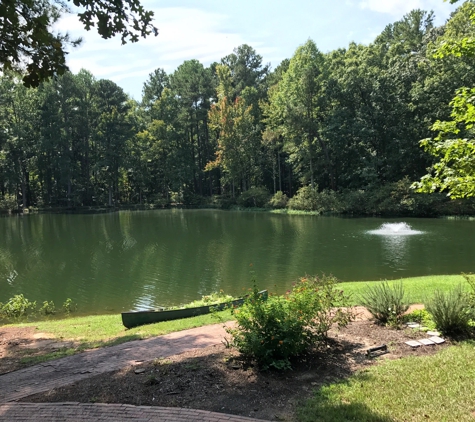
column 216, row 379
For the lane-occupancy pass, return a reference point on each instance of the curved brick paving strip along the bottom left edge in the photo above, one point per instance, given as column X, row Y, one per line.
column 32, row 412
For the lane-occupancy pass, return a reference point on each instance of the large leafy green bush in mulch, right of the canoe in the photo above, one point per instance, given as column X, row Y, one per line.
column 274, row 330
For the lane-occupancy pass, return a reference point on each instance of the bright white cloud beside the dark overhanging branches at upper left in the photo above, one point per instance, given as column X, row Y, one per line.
column 183, row 34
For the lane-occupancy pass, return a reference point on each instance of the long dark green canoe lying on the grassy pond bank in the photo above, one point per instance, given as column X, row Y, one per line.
column 135, row 319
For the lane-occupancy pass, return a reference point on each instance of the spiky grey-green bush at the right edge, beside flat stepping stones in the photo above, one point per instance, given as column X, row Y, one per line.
column 451, row 311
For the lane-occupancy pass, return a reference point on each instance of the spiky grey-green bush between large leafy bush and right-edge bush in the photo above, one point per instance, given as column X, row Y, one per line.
column 385, row 302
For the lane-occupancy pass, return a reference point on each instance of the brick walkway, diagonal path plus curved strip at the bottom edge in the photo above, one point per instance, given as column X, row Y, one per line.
column 57, row 373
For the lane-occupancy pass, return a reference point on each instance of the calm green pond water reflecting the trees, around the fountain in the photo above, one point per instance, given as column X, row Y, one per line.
column 136, row 260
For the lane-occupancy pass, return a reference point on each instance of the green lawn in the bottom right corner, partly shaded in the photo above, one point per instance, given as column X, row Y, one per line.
column 437, row 388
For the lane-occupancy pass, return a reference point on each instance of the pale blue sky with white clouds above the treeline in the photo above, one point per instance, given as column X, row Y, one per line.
column 207, row 30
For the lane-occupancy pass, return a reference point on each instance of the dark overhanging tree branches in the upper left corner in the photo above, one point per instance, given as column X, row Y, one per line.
column 27, row 42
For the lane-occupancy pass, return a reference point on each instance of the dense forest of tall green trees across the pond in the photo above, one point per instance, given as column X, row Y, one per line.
column 329, row 132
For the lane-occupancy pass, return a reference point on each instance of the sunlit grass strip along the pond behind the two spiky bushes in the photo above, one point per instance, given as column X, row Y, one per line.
column 417, row 289
